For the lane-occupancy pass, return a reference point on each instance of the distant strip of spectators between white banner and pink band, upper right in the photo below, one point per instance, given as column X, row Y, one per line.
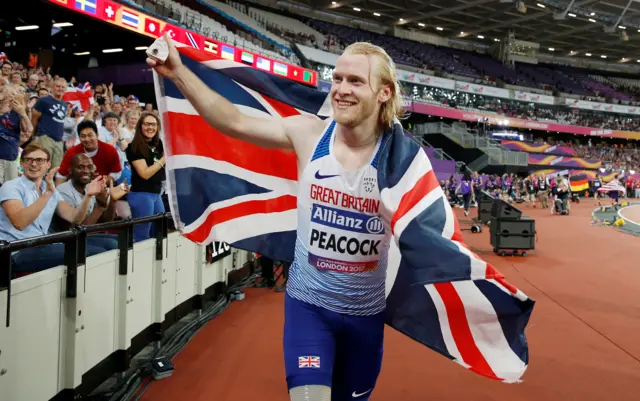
column 524, row 110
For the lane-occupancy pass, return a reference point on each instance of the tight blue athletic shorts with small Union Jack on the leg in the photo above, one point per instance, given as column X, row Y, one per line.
column 331, row 349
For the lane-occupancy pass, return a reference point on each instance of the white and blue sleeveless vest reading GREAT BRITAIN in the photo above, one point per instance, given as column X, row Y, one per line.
column 341, row 247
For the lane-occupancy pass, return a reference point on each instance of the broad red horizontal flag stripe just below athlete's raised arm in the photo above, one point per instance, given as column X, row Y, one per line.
column 192, row 136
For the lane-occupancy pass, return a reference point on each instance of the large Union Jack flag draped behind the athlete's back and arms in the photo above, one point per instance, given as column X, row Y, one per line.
column 439, row 292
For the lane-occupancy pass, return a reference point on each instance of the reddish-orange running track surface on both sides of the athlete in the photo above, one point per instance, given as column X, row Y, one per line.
column 583, row 333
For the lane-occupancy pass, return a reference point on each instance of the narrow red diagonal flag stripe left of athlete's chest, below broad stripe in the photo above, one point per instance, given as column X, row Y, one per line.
column 280, row 204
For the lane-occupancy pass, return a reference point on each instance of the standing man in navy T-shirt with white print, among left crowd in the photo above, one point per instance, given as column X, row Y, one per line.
column 48, row 118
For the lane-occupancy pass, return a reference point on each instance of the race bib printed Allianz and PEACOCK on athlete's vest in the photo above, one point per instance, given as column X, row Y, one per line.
column 344, row 241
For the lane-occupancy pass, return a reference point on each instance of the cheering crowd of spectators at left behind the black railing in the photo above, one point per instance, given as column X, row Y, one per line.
column 66, row 163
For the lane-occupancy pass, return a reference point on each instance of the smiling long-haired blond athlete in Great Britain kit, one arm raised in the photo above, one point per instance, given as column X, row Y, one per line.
column 335, row 297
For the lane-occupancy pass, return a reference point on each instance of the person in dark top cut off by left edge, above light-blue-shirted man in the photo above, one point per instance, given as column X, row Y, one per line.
column 13, row 120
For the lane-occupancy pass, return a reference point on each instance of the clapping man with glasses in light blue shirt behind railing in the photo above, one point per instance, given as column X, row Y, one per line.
column 28, row 204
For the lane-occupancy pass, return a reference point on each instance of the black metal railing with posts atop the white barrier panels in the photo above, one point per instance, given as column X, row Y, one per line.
column 75, row 245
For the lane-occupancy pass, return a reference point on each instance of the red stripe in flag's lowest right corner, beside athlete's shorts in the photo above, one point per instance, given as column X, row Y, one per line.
column 461, row 332
